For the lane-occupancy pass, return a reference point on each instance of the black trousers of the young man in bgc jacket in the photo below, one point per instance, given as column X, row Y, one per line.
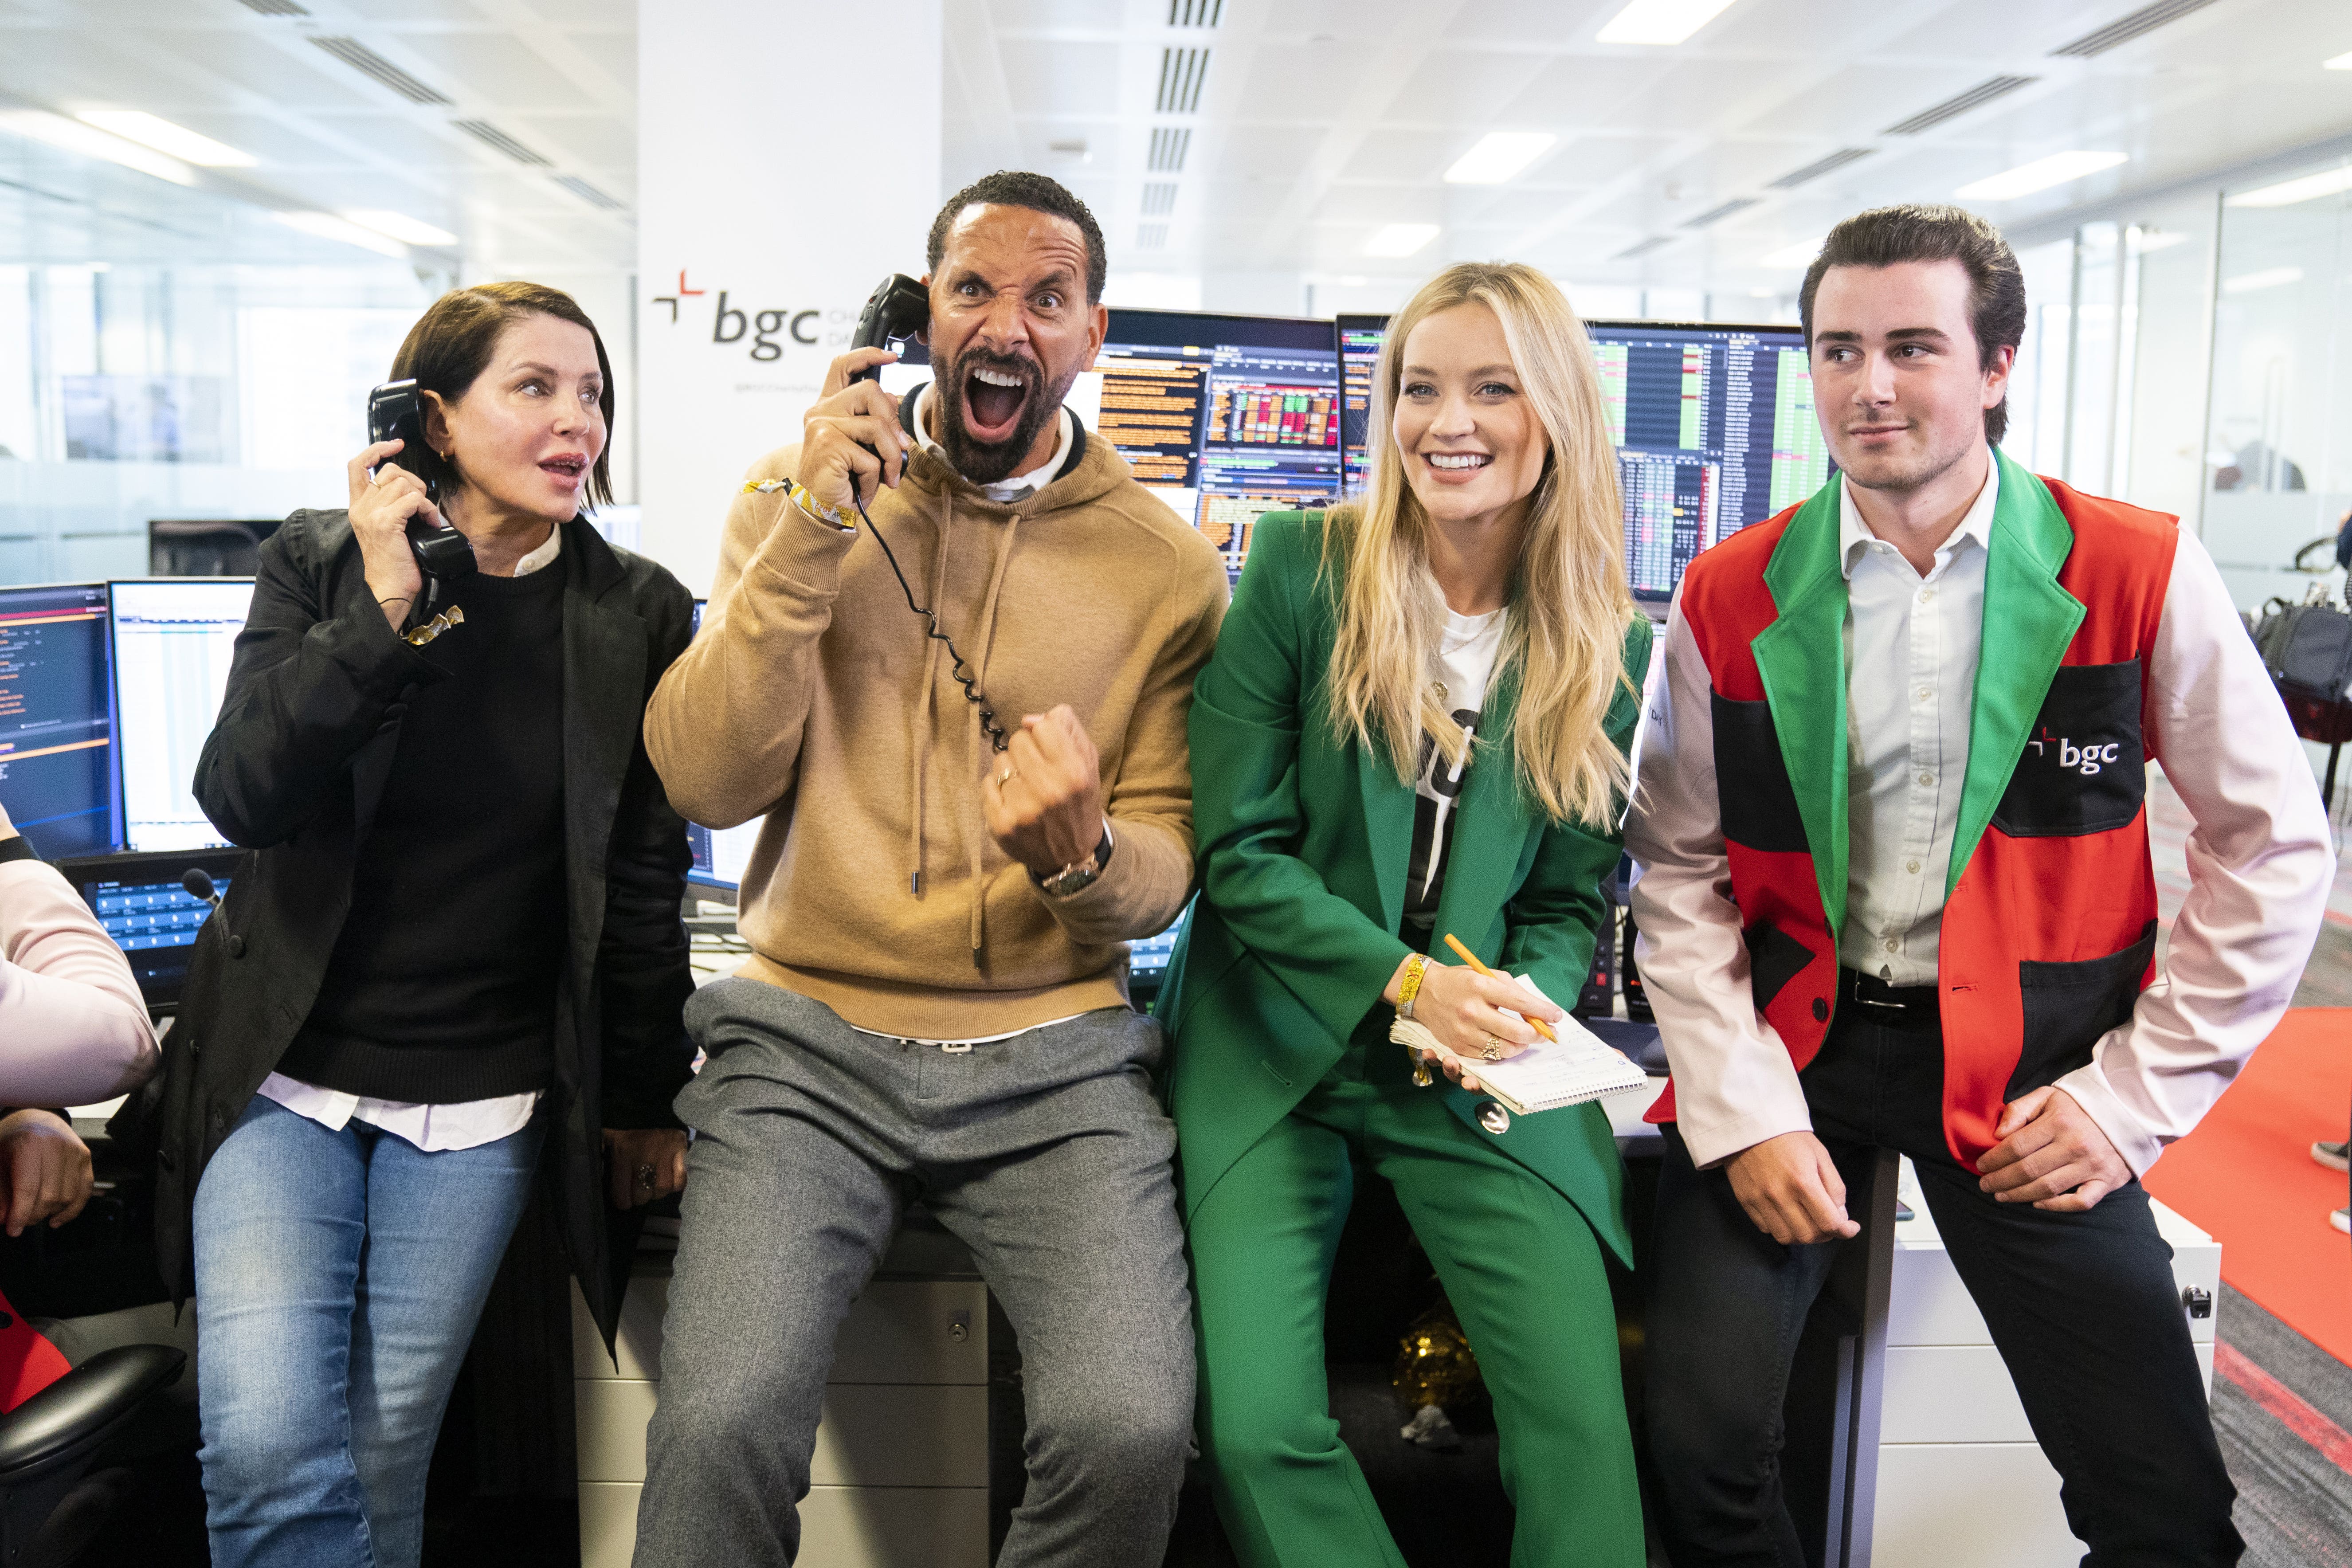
column 2083, row 1308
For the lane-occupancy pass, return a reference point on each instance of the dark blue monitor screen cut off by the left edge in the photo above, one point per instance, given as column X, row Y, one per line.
column 58, row 735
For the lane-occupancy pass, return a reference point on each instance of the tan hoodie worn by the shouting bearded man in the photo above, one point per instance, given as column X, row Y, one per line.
column 815, row 697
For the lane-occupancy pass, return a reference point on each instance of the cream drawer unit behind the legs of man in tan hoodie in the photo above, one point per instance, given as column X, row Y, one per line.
column 900, row 1477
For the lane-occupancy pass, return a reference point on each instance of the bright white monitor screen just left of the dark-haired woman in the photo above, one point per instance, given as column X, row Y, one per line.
column 173, row 643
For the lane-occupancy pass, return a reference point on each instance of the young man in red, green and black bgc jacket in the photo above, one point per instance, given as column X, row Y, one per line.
column 1895, row 892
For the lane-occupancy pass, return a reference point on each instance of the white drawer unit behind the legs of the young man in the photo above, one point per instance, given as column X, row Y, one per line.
column 1960, row 1475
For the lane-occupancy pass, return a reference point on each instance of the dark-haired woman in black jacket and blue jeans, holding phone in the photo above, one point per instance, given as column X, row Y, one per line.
column 455, row 958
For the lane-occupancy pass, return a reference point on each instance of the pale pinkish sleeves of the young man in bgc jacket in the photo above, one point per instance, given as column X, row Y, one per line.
column 2259, row 880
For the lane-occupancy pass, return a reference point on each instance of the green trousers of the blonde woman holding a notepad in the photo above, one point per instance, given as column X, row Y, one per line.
column 1525, row 1275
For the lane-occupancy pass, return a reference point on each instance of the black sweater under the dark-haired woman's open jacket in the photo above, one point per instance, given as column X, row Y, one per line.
column 443, row 981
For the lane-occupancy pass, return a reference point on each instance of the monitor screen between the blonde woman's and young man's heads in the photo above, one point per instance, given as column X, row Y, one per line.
column 1713, row 429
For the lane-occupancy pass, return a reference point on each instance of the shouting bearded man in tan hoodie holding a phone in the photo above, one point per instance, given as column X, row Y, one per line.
column 940, row 902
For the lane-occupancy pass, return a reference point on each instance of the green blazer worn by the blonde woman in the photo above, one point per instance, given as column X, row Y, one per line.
column 1304, row 847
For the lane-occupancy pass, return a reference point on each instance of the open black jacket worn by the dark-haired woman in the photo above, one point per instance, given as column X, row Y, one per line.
column 295, row 770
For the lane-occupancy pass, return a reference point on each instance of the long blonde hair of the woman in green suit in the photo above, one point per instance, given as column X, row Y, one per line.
column 1570, row 605
